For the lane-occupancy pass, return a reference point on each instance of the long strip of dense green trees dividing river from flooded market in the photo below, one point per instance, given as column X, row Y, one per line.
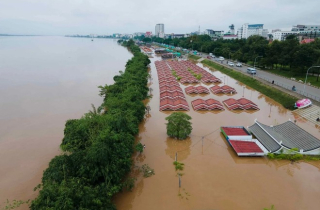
column 98, row 147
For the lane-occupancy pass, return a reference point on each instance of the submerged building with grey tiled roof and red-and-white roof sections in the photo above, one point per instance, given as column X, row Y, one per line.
column 283, row 138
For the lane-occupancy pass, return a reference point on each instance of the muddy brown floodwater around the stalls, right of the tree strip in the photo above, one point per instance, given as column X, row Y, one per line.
column 214, row 177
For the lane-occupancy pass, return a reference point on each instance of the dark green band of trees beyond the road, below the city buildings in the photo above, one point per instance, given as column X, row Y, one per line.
column 288, row 55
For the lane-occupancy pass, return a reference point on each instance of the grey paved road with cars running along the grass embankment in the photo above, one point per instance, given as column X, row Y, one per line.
column 309, row 92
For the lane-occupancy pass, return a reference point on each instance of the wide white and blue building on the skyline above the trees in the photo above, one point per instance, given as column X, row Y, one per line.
column 248, row 30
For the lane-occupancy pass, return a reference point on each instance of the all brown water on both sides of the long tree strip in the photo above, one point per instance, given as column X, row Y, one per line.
column 46, row 80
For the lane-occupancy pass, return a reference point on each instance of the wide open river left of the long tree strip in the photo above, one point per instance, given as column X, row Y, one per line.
column 45, row 81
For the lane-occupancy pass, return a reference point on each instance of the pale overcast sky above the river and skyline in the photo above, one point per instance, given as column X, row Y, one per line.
column 61, row 17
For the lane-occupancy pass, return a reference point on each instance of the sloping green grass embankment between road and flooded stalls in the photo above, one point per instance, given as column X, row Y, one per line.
column 283, row 98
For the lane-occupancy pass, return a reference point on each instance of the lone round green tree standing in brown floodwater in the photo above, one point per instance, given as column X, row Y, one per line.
column 179, row 125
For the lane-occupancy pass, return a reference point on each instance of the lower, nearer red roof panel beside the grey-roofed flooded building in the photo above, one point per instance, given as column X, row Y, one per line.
column 246, row 148
